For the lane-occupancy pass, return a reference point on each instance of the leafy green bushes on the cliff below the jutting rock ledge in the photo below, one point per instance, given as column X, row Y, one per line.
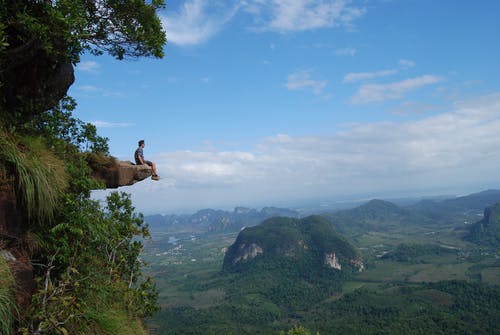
column 92, row 262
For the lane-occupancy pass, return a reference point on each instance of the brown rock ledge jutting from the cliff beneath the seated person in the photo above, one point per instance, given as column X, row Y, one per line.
column 120, row 173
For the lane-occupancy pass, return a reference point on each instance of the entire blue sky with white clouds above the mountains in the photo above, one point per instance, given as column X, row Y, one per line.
column 267, row 102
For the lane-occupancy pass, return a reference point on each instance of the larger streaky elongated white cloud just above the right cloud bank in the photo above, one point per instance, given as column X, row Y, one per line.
column 396, row 90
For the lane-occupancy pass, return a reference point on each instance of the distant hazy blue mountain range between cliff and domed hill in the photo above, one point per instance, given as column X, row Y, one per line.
column 211, row 220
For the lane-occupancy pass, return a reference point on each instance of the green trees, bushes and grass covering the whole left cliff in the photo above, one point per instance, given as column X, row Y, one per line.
column 85, row 255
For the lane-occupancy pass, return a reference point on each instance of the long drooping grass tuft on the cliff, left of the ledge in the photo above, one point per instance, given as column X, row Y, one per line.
column 38, row 175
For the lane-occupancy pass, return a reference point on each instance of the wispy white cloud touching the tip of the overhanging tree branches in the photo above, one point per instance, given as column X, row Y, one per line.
column 196, row 22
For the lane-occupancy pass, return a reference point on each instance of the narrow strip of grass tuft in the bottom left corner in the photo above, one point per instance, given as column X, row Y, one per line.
column 7, row 303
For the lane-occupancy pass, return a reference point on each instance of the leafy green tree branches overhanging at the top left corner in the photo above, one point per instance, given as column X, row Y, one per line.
column 65, row 29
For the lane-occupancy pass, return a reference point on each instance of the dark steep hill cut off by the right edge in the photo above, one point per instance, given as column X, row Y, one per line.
column 486, row 232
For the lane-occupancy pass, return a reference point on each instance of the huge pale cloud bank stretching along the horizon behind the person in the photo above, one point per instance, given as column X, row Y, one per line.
column 455, row 150
